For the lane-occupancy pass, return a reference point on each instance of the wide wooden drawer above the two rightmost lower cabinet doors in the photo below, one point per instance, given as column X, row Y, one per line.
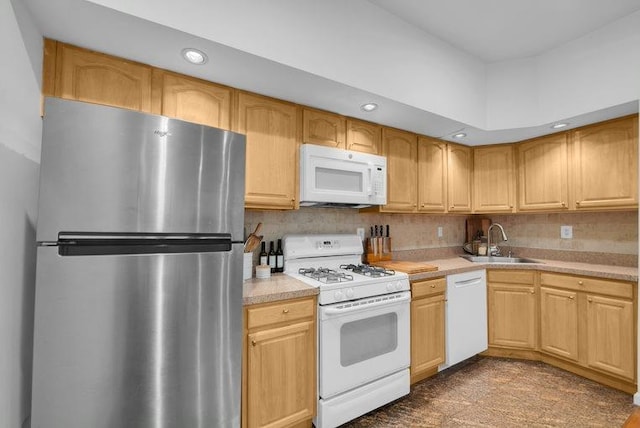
column 588, row 284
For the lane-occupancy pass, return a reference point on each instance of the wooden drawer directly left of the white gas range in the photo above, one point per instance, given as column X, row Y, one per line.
column 279, row 312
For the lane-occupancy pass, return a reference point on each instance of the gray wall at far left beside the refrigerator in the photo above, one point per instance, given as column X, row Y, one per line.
column 20, row 134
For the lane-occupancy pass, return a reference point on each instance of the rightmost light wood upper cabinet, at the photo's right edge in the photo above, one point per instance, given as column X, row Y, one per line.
column 605, row 164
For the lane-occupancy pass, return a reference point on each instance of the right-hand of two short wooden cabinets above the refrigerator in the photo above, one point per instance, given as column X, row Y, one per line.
column 191, row 99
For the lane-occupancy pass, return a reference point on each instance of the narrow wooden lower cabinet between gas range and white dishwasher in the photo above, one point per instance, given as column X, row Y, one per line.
column 427, row 327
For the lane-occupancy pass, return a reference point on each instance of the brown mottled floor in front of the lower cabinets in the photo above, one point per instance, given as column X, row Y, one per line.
column 496, row 392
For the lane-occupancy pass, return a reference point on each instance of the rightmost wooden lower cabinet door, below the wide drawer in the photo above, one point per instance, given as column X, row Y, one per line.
column 611, row 335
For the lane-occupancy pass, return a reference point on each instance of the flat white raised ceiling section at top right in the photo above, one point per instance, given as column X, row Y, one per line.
column 498, row 30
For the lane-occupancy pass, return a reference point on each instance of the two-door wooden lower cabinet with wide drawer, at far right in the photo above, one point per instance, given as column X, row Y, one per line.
column 591, row 323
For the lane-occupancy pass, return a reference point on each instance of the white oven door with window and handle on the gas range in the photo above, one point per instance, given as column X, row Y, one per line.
column 362, row 341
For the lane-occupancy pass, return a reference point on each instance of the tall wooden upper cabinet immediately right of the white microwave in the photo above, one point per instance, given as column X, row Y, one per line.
column 401, row 150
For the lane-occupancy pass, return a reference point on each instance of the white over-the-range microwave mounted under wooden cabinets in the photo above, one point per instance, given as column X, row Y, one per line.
column 332, row 177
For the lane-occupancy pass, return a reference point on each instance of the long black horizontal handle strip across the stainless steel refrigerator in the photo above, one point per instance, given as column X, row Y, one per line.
column 92, row 244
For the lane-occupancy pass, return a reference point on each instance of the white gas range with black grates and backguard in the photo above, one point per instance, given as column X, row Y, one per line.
column 363, row 325
